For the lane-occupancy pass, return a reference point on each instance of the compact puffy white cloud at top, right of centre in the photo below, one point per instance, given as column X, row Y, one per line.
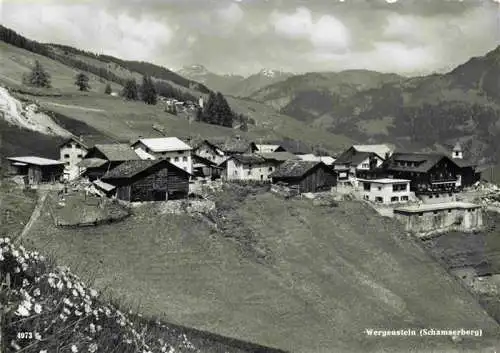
column 327, row 32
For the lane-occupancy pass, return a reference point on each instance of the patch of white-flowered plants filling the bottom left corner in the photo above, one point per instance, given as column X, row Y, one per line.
column 51, row 310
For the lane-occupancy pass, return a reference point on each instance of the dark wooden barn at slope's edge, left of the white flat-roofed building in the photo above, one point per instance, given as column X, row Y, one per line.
column 308, row 176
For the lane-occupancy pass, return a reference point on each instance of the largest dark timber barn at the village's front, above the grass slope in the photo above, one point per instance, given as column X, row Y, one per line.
column 148, row 180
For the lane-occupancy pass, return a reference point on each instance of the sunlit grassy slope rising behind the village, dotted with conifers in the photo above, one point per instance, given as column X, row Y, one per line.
column 127, row 120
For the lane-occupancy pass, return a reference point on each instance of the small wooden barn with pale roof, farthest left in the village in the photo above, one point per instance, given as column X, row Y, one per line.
column 37, row 170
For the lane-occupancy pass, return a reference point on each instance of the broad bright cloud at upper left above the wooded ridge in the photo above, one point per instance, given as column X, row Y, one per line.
column 90, row 28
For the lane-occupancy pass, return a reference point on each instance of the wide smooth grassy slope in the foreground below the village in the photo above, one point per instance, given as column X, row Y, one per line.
column 326, row 277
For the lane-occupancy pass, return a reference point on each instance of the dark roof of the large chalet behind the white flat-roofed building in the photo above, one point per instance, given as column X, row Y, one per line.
column 425, row 161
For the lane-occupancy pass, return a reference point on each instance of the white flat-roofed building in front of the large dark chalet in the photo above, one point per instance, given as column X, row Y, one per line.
column 386, row 190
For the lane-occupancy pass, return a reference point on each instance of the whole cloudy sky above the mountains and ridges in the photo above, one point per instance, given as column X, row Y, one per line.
column 408, row 37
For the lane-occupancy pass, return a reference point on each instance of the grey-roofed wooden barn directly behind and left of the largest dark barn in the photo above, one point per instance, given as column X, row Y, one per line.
column 104, row 157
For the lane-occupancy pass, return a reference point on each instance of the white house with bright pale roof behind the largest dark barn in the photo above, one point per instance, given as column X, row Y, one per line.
column 172, row 149
